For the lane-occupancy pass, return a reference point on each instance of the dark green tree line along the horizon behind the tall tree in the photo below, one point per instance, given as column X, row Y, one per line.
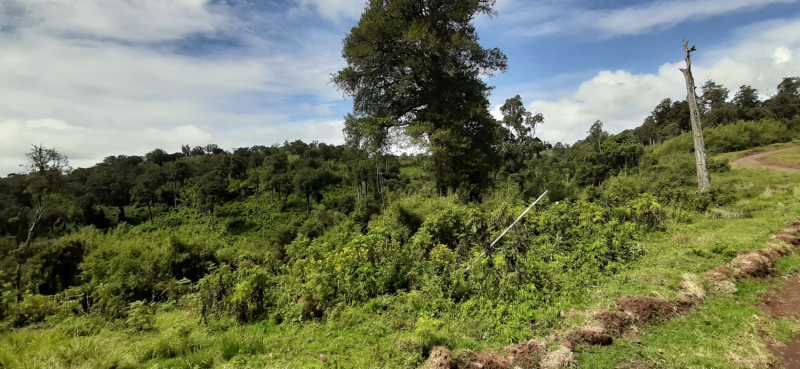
column 49, row 198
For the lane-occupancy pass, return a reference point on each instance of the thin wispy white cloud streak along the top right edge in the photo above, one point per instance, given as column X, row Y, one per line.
column 543, row 17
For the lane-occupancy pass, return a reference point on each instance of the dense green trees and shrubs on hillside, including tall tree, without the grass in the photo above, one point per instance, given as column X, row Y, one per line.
column 301, row 232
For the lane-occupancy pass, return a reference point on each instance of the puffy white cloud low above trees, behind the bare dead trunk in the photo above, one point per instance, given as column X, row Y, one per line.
column 622, row 100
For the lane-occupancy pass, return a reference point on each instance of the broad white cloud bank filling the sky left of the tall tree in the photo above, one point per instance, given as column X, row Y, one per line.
column 100, row 77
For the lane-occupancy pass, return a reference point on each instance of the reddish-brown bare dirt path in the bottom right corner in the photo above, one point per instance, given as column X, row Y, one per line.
column 785, row 304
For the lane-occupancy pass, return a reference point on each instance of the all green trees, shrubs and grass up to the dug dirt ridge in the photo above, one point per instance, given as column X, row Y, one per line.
column 349, row 256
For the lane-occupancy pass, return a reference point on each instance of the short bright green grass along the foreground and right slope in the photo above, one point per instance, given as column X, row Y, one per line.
column 723, row 332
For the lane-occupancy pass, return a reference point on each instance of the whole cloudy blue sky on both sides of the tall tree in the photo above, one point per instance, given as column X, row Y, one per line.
column 104, row 77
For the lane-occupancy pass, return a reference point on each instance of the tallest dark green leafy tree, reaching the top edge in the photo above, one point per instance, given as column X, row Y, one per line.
column 415, row 66
